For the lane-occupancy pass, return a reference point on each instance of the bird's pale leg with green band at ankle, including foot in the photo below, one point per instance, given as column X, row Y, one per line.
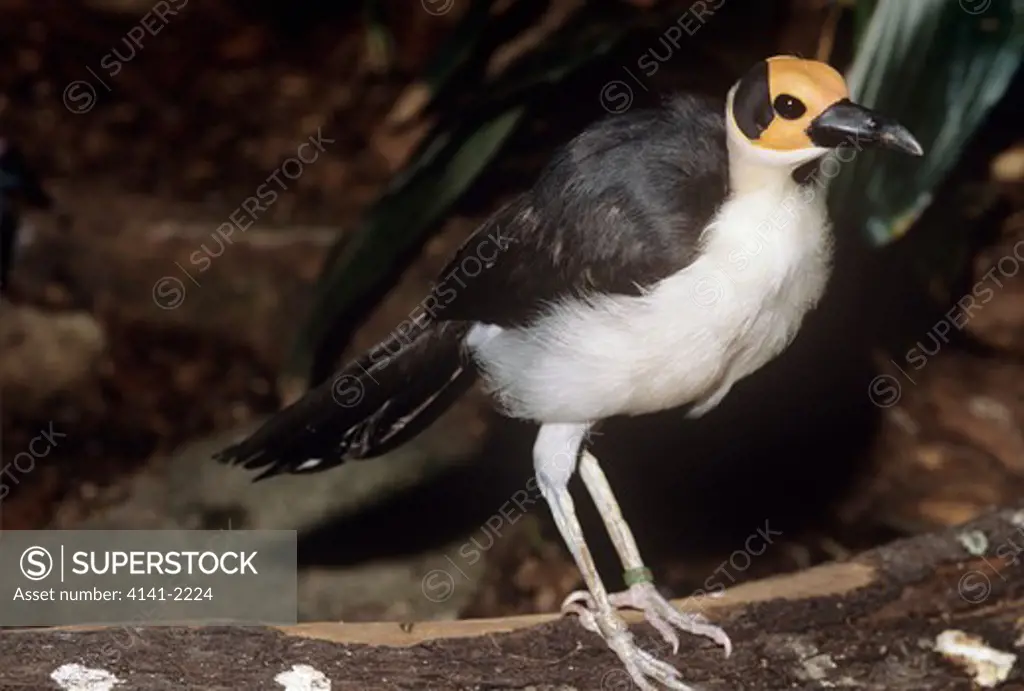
column 642, row 593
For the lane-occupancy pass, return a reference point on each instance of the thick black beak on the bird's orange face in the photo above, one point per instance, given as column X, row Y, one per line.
column 846, row 122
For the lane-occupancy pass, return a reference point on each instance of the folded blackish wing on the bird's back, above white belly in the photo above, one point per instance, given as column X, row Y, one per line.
column 618, row 209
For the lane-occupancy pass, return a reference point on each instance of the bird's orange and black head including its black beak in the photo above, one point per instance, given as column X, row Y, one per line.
column 788, row 111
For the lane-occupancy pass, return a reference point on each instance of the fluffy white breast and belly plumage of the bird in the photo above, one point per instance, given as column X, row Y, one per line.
column 765, row 262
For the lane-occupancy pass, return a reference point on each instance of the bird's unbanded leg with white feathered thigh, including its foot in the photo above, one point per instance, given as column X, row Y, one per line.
column 556, row 456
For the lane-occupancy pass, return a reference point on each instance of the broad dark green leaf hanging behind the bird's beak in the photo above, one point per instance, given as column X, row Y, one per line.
column 960, row 64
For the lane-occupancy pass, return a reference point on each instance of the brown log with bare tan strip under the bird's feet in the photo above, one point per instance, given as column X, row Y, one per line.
column 868, row 624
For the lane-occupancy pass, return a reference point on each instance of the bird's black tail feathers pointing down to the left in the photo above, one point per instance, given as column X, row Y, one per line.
column 374, row 405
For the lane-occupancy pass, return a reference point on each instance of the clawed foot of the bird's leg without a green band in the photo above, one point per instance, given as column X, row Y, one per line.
column 642, row 666
